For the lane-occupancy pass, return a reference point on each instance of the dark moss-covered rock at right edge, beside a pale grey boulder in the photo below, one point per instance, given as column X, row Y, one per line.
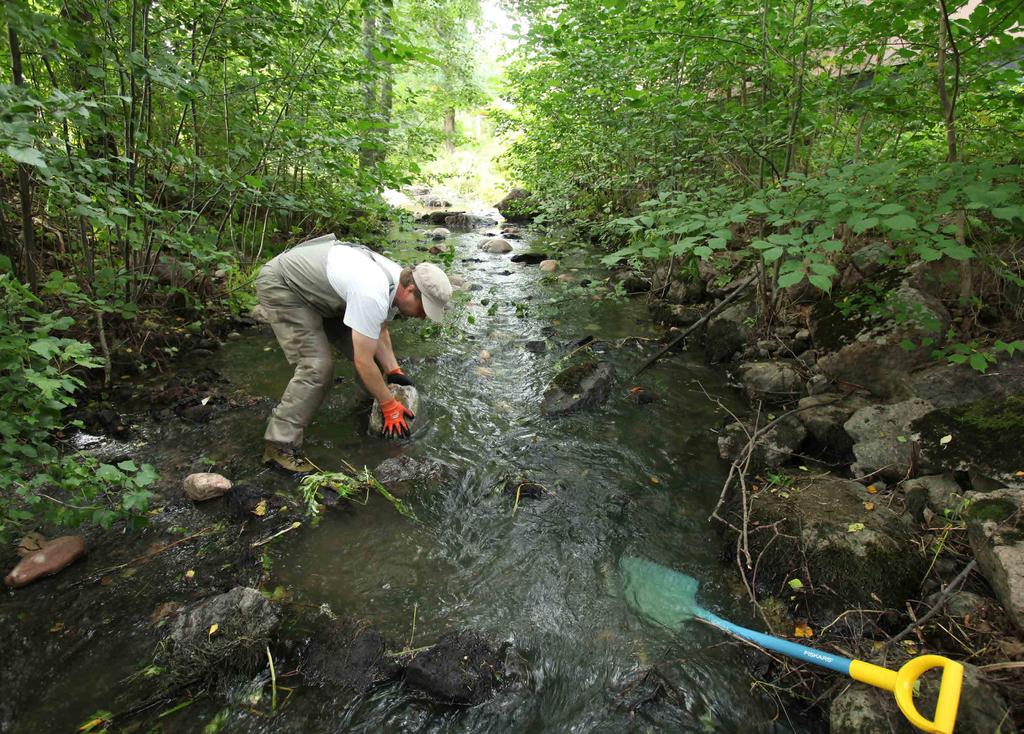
column 986, row 438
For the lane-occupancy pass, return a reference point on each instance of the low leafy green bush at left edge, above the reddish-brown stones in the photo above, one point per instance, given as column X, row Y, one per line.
column 37, row 384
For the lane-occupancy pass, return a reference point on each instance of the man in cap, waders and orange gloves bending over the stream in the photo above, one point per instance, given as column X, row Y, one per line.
column 325, row 286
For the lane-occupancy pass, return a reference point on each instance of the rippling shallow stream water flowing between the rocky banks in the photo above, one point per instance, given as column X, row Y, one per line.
column 626, row 479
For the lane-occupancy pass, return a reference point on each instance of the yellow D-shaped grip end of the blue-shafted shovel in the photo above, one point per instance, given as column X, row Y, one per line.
column 902, row 684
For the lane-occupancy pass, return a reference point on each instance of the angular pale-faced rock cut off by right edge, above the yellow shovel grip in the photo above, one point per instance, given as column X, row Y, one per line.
column 996, row 529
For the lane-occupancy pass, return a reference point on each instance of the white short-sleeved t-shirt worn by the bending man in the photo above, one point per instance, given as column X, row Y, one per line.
column 364, row 287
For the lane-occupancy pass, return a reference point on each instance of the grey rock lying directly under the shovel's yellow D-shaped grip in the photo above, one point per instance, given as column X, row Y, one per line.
column 864, row 710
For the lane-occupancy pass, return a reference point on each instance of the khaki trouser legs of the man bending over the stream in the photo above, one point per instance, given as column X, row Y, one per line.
column 306, row 336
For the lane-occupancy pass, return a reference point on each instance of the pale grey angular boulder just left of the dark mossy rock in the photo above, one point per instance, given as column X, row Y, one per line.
column 884, row 440
